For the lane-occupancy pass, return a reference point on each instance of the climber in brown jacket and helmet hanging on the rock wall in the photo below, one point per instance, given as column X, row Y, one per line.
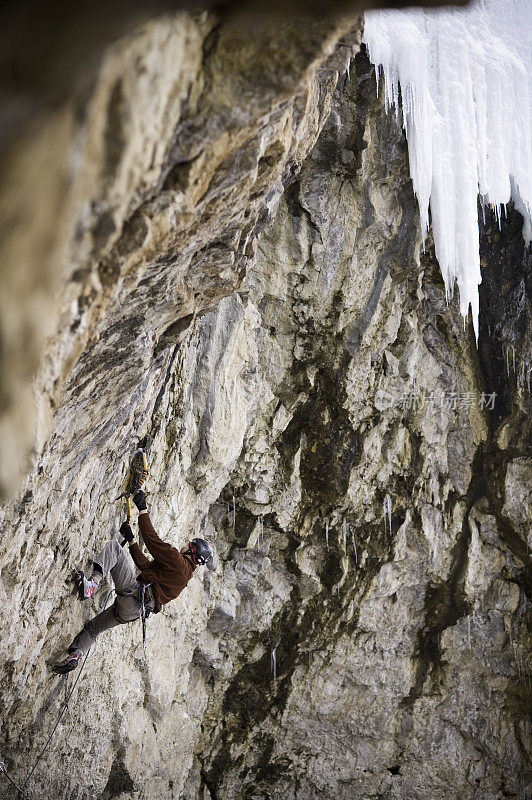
column 164, row 578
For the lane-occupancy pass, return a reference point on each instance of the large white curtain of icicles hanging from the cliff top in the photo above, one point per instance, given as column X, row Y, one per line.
column 461, row 79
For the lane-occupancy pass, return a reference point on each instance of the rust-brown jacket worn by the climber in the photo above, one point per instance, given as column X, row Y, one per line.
column 168, row 573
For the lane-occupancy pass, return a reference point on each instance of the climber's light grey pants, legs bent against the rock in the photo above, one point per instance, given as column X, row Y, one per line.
column 127, row 605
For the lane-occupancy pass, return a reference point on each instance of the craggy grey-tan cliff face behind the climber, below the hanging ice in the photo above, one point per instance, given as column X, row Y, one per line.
column 328, row 425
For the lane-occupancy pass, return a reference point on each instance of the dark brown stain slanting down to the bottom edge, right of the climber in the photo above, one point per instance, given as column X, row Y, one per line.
column 297, row 631
